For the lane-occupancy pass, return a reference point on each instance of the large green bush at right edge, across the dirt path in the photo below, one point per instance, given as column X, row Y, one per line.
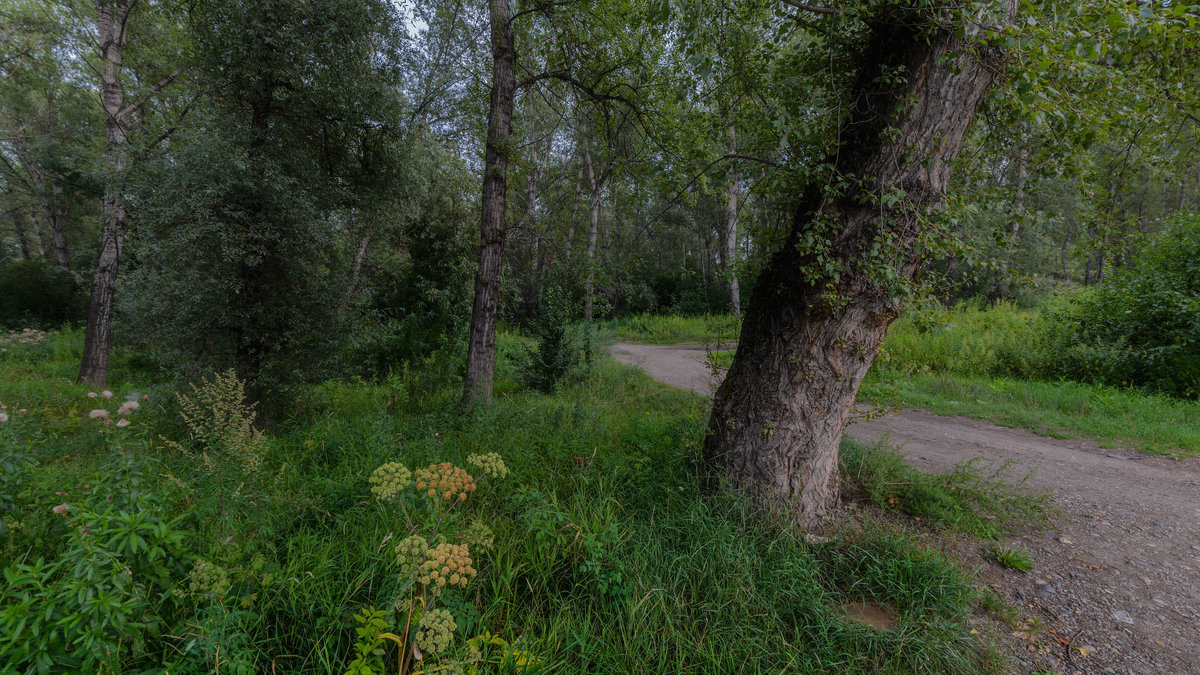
column 1142, row 327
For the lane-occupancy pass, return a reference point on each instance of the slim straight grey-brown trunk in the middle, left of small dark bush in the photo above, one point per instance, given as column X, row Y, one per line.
column 482, row 342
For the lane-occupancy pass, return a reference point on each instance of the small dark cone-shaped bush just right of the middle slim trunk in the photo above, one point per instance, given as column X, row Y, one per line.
column 563, row 349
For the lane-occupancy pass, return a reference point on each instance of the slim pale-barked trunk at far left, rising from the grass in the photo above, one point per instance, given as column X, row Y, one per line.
column 98, row 341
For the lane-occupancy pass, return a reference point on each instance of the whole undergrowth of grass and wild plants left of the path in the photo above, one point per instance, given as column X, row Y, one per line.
column 187, row 541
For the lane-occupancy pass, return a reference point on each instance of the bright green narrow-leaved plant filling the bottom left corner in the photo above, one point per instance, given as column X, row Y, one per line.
column 107, row 598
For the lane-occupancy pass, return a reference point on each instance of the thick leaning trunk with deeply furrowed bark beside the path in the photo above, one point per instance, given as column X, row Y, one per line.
column 779, row 416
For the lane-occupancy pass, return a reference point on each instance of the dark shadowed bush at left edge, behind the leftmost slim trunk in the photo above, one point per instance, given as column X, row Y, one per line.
column 35, row 295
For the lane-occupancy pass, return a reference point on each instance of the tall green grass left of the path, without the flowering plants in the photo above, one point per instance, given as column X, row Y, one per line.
column 609, row 557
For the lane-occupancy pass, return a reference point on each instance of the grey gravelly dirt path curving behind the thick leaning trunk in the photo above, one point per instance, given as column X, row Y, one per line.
column 1119, row 578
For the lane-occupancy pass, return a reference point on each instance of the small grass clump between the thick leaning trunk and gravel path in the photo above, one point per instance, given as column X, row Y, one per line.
column 977, row 499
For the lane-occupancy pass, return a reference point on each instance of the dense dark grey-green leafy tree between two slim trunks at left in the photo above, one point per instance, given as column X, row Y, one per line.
column 253, row 220
